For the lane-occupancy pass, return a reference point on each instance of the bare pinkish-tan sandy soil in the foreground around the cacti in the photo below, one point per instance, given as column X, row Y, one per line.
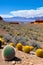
column 22, row 58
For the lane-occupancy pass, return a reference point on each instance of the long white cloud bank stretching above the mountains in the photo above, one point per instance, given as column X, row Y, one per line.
column 26, row 13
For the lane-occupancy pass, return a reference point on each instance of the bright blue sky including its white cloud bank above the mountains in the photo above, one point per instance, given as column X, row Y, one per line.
column 10, row 8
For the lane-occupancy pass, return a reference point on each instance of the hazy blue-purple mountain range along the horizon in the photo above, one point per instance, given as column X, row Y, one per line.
column 22, row 19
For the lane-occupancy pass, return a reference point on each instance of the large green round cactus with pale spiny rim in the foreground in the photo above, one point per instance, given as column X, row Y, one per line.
column 8, row 52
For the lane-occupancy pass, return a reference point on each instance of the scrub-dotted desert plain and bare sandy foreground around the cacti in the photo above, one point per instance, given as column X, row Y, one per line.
column 28, row 34
